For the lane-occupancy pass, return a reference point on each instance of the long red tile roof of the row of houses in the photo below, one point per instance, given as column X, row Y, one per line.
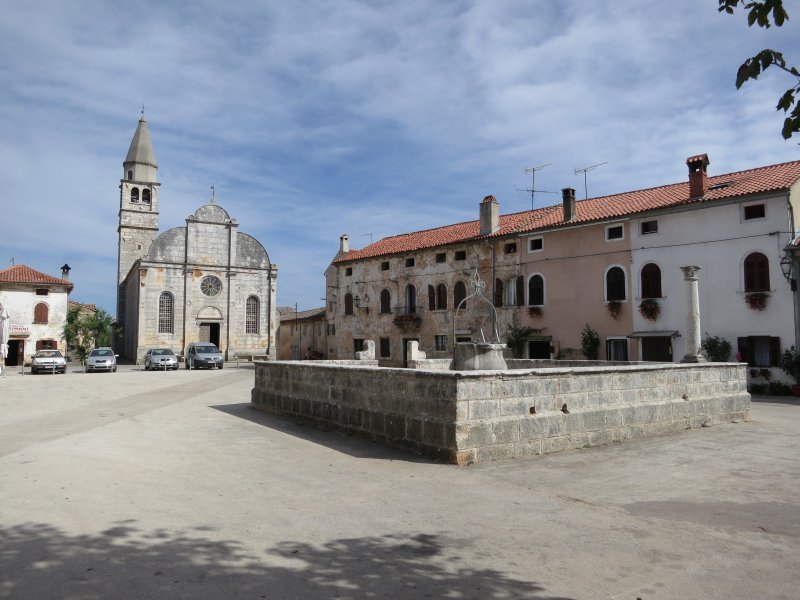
column 732, row 185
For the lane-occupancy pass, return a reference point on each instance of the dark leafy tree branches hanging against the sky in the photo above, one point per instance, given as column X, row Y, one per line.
column 764, row 14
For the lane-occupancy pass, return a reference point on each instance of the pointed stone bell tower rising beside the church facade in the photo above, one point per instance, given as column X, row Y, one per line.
column 138, row 208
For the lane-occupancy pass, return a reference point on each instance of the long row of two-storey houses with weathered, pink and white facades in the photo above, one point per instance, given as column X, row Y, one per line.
column 612, row 262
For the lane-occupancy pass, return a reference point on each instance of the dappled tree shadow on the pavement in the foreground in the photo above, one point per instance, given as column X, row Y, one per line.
column 41, row 561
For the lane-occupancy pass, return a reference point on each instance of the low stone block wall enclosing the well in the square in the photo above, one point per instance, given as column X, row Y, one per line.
column 473, row 416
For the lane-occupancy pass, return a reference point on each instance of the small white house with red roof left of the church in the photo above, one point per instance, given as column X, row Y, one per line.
column 37, row 307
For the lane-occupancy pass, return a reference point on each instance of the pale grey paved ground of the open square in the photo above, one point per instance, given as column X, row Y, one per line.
column 137, row 485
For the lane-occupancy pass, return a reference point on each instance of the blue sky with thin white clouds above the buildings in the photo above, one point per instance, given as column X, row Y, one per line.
column 318, row 118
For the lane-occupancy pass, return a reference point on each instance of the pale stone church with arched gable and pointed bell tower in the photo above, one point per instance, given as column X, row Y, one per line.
column 205, row 282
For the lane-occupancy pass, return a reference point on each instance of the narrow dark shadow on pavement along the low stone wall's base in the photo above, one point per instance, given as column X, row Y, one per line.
column 357, row 446
